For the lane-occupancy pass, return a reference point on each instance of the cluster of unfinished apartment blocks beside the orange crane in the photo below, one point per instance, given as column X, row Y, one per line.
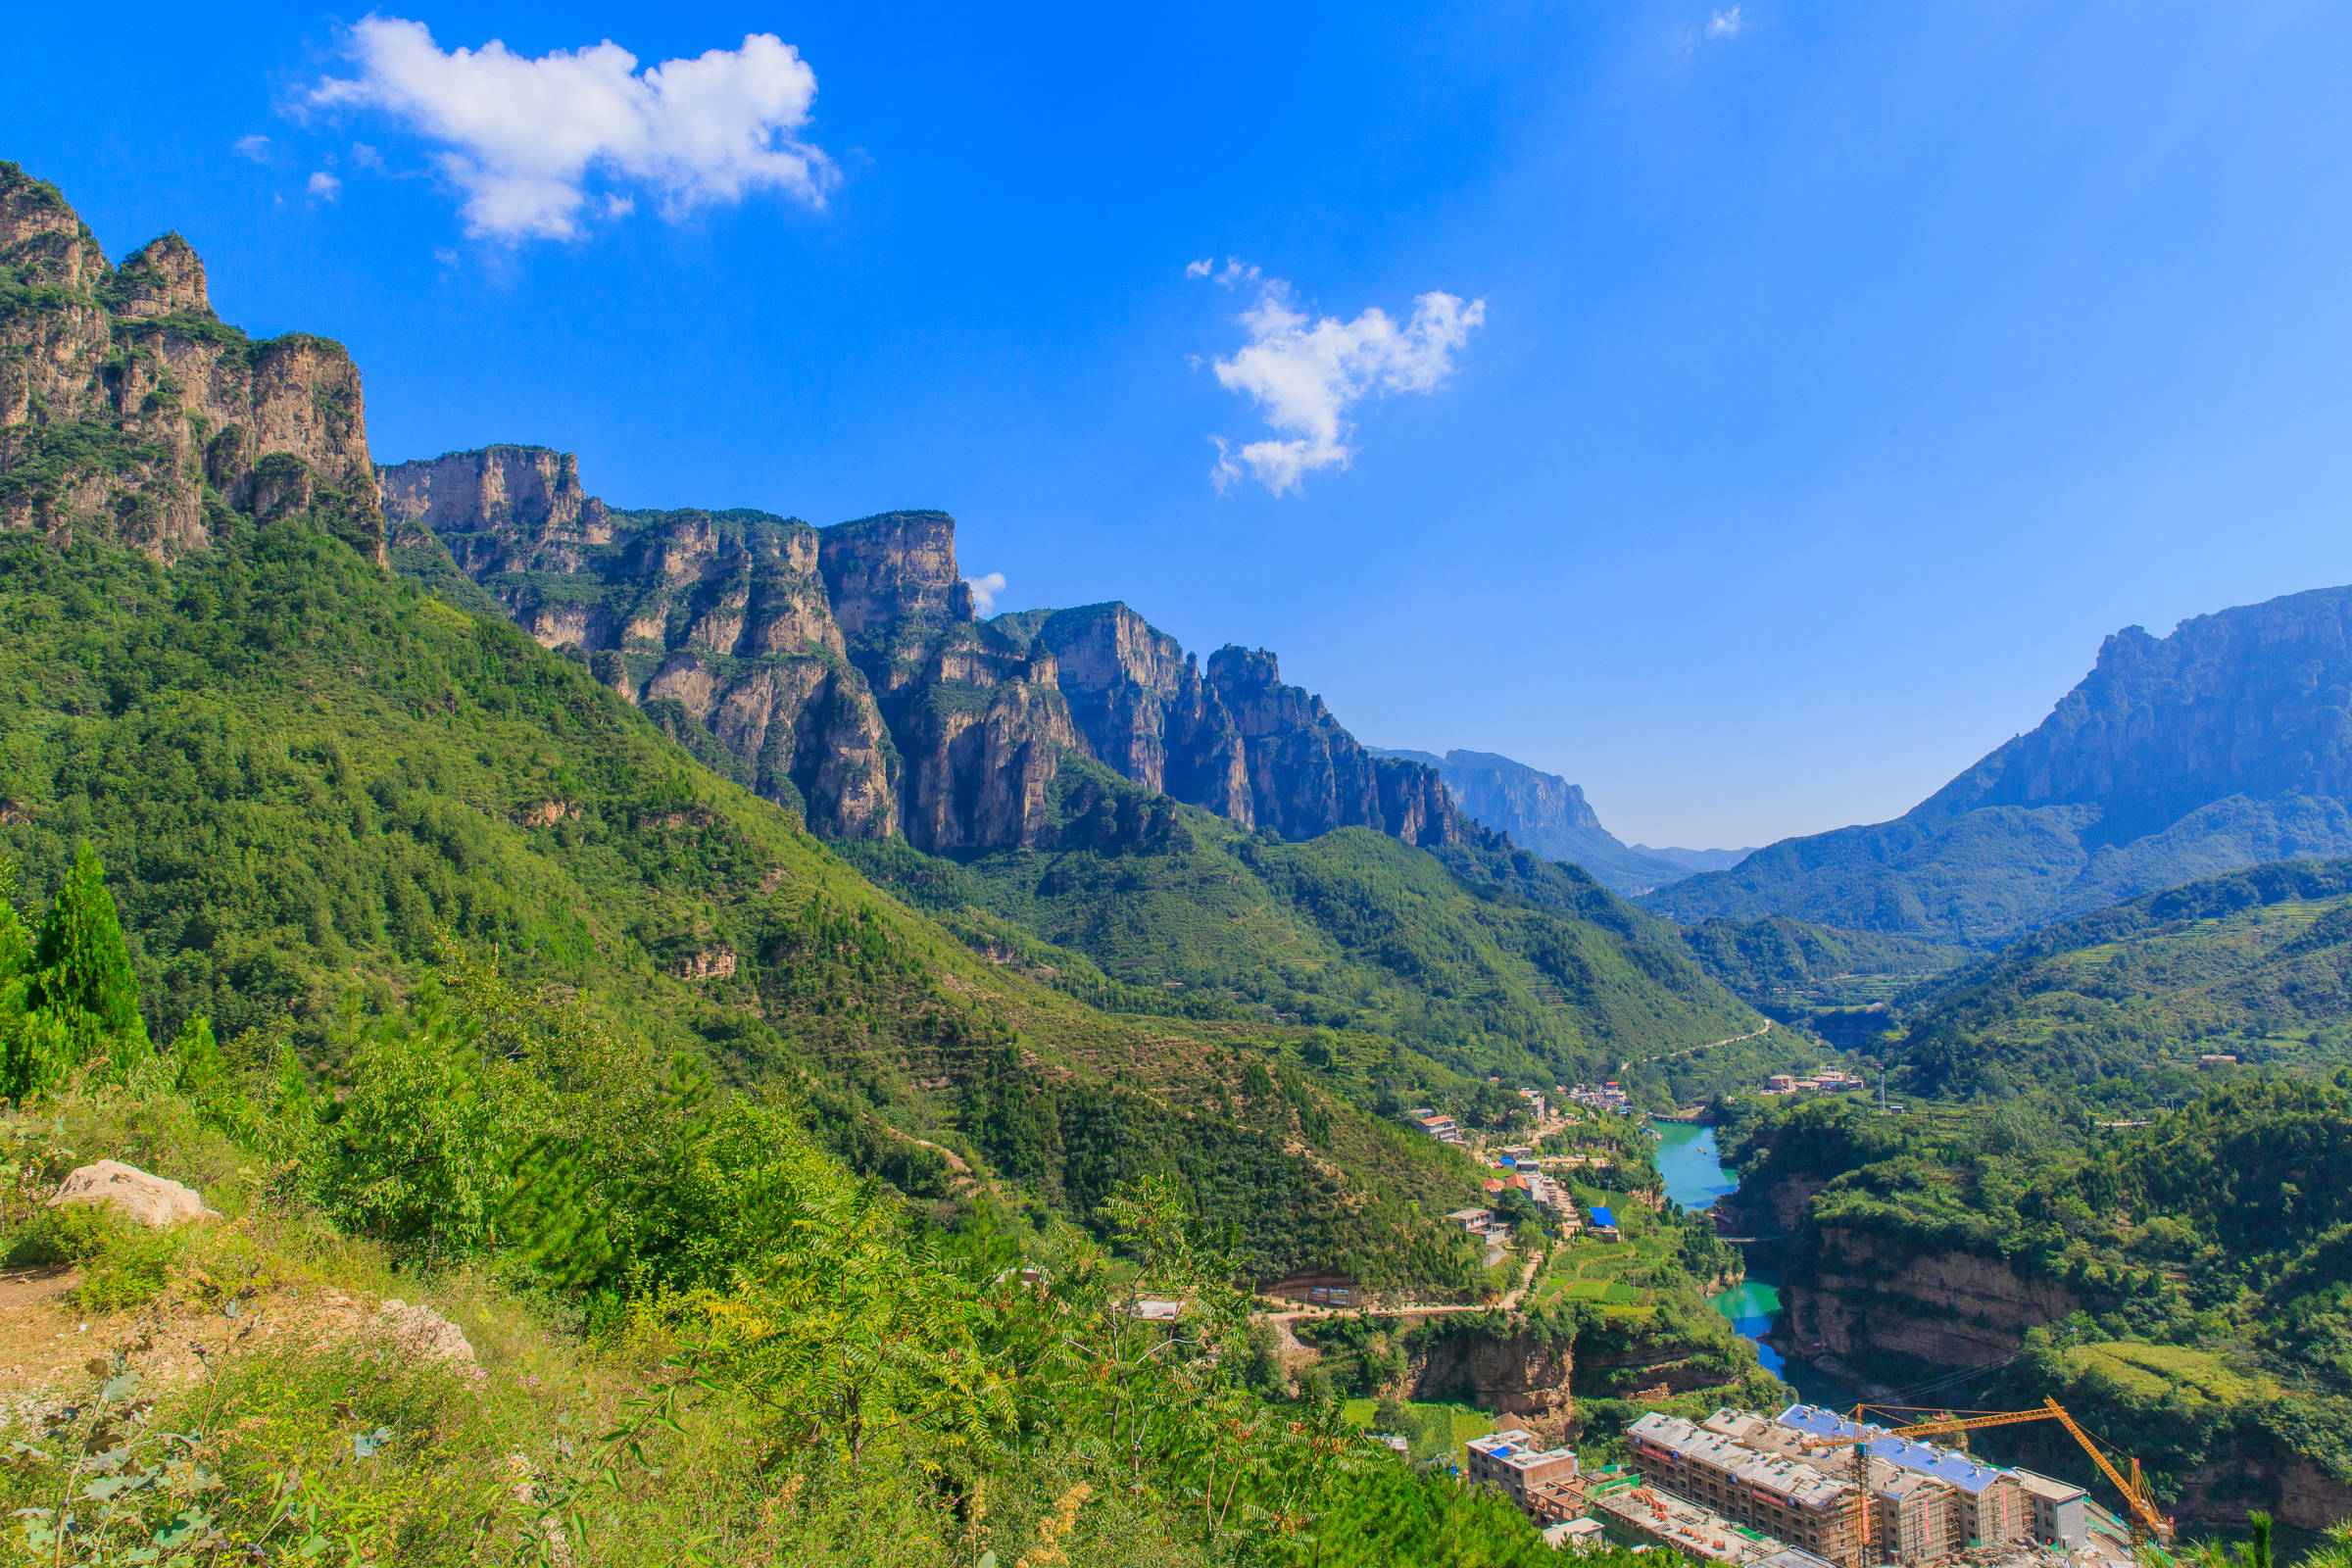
column 1791, row 1477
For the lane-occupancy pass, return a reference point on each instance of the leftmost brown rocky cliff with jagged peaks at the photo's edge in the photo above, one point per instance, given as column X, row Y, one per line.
column 126, row 403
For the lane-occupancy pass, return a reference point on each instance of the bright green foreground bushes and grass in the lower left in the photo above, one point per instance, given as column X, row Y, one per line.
column 693, row 1334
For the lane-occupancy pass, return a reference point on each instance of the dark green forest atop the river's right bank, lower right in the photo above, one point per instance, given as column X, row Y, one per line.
column 2203, row 1254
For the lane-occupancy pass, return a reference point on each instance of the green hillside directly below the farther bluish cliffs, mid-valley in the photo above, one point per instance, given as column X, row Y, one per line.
column 1490, row 965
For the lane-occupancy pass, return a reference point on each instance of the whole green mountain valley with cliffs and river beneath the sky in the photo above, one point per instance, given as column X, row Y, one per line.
column 928, row 1073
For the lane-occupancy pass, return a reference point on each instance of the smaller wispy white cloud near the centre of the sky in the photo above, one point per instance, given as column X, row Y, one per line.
column 1307, row 375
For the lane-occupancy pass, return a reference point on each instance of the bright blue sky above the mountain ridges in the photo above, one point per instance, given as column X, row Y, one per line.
column 1822, row 382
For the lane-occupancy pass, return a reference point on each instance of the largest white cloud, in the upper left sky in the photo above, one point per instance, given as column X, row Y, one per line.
column 528, row 135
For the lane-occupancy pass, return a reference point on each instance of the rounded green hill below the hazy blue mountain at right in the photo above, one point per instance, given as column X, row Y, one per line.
column 2125, row 1003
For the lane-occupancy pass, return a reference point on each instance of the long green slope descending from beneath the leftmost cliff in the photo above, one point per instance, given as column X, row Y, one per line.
column 302, row 775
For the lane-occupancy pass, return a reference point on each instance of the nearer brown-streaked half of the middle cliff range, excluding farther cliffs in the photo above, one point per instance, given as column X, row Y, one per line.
column 841, row 666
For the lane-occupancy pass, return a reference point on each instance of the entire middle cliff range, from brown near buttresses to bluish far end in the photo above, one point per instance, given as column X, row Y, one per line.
column 848, row 676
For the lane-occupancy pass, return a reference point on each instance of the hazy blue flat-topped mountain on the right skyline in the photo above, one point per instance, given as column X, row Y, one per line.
column 2221, row 746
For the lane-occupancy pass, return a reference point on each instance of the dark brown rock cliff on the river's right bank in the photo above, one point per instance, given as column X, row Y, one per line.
column 1862, row 1296
